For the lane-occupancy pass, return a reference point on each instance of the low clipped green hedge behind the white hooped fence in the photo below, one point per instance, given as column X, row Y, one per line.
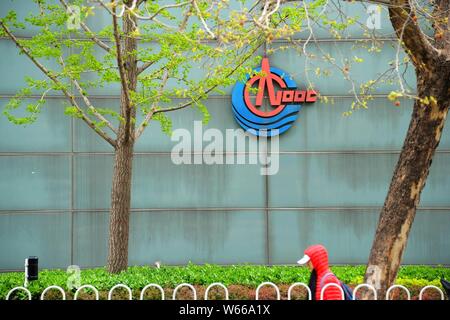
column 169, row 277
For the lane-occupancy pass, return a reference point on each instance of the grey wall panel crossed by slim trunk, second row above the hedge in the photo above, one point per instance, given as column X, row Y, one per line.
column 157, row 181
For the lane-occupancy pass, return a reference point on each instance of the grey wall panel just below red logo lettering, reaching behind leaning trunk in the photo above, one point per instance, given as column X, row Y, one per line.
column 323, row 127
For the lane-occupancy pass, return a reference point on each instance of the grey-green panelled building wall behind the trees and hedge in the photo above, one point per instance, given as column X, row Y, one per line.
column 333, row 177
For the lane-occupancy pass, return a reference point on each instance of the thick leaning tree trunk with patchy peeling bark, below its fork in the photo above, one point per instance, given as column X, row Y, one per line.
column 398, row 212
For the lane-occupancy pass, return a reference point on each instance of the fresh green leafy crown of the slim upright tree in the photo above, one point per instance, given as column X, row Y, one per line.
column 174, row 46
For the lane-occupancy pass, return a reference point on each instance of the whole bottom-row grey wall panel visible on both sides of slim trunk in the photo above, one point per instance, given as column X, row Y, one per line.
column 176, row 237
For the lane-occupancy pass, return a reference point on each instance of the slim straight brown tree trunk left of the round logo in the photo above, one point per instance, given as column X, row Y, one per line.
column 122, row 175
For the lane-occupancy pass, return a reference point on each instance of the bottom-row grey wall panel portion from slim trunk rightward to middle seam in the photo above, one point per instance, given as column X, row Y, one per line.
column 222, row 237
